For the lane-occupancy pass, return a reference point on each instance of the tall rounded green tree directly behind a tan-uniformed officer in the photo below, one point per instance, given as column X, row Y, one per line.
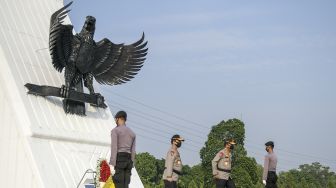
column 244, row 168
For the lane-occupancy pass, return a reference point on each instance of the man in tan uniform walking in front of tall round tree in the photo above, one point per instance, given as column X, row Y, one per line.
column 221, row 166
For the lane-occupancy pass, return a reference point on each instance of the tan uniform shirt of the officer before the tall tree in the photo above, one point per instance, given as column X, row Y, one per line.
column 222, row 160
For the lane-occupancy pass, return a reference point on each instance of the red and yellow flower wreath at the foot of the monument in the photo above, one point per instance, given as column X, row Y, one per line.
column 103, row 176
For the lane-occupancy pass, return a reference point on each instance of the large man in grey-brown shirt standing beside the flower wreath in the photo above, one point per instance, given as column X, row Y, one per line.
column 122, row 151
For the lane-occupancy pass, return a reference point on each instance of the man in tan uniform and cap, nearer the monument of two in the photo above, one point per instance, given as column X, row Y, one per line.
column 173, row 163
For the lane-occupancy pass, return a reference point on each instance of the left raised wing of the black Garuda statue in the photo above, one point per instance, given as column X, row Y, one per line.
column 60, row 37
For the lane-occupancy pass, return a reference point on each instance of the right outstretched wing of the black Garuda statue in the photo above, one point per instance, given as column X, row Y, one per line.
column 118, row 63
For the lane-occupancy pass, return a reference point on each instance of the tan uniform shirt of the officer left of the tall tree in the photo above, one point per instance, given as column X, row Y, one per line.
column 173, row 162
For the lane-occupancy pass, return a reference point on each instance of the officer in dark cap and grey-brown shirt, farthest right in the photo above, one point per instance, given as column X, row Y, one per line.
column 269, row 175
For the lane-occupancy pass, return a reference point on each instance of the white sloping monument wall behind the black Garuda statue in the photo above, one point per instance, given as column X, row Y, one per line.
column 41, row 146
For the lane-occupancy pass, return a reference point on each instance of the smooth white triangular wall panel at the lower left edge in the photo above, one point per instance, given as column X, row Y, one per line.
column 15, row 163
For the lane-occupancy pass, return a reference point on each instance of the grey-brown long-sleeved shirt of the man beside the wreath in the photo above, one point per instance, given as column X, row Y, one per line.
column 122, row 140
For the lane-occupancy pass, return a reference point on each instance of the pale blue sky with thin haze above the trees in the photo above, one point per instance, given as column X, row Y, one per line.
column 269, row 63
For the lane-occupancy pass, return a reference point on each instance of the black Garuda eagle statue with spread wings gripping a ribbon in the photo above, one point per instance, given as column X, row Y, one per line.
column 84, row 59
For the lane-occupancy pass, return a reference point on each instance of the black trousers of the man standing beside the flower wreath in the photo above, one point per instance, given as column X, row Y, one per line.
column 123, row 168
